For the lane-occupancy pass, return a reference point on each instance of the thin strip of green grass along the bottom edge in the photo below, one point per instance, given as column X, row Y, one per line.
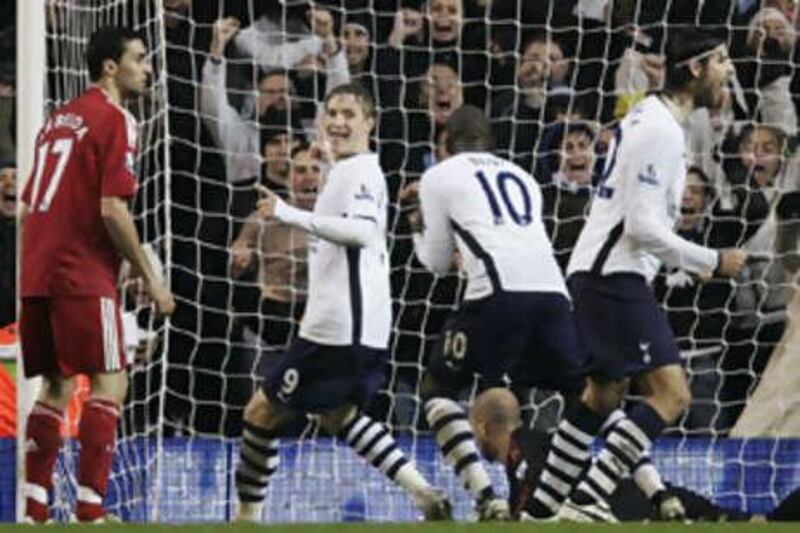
column 429, row 528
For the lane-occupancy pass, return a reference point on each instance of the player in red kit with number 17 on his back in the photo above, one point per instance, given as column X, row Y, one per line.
column 76, row 229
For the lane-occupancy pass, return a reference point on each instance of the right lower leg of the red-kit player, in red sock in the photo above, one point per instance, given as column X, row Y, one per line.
column 97, row 434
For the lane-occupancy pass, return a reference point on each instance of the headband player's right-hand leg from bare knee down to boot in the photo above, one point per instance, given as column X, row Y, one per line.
column 666, row 397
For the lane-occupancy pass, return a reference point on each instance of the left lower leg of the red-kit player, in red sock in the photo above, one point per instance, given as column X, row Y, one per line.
column 42, row 443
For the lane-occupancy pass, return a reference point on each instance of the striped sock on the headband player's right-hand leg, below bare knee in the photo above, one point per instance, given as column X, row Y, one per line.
column 627, row 442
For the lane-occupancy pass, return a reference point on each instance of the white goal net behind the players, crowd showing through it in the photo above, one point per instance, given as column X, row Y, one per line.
column 553, row 77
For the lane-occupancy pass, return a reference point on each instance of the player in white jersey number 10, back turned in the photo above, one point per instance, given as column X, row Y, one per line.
column 516, row 315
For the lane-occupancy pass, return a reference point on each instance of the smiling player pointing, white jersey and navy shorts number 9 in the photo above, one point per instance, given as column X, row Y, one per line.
column 339, row 358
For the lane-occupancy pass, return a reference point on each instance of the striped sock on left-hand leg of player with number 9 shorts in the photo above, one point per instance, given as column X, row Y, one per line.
column 258, row 460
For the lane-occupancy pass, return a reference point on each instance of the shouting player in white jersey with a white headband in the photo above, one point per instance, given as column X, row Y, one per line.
column 627, row 237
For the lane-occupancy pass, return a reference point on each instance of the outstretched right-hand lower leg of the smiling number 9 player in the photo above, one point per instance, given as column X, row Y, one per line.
column 373, row 442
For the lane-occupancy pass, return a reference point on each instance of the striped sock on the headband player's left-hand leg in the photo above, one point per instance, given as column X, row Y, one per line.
column 567, row 459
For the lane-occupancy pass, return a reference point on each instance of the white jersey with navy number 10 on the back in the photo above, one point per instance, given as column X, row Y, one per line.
column 491, row 210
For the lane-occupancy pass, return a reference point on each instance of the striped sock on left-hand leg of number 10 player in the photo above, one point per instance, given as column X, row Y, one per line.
column 450, row 425
